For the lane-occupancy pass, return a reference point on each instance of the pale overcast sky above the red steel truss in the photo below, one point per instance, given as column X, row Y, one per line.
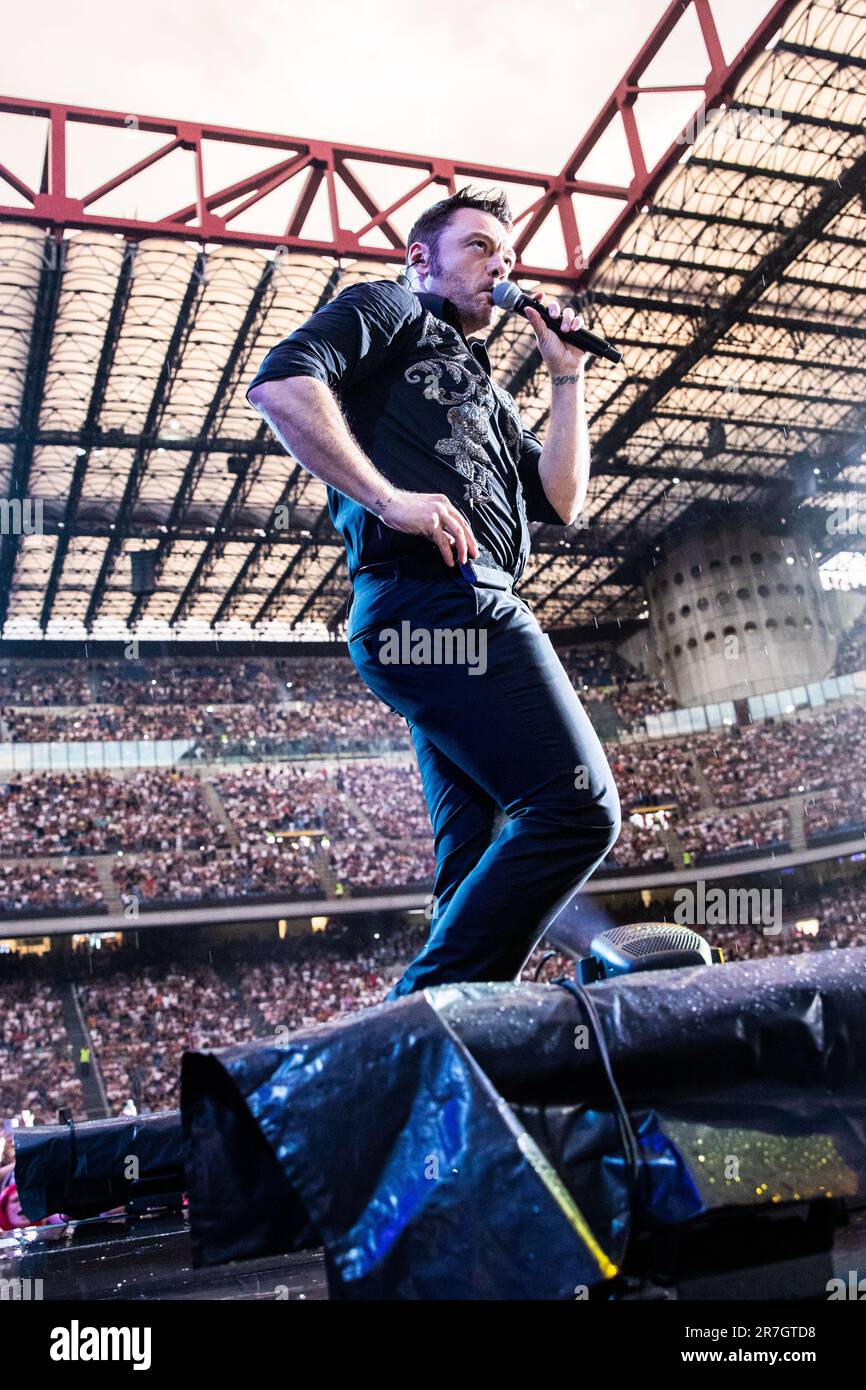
column 509, row 84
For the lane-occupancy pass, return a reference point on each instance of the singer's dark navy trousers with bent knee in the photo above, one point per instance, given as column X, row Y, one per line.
column 500, row 730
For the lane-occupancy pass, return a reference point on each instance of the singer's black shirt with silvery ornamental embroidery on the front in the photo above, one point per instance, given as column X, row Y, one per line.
column 420, row 401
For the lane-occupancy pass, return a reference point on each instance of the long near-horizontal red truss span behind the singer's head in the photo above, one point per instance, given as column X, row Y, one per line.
column 308, row 166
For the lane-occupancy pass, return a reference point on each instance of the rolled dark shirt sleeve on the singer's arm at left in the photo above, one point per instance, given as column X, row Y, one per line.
column 347, row 340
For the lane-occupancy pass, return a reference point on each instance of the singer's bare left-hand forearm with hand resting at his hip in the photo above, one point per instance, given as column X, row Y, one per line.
column 305, row 416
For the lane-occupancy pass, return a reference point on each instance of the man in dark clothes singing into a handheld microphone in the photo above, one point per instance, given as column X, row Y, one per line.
column 433, row 482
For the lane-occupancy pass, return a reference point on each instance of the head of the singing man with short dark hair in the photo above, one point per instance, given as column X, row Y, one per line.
column 473, row 255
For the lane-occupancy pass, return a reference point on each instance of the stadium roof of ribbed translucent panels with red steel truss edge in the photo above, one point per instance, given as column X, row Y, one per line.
column 729, row 270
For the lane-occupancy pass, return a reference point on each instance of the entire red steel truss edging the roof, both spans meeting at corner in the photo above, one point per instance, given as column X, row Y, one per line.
column 322, row 163
